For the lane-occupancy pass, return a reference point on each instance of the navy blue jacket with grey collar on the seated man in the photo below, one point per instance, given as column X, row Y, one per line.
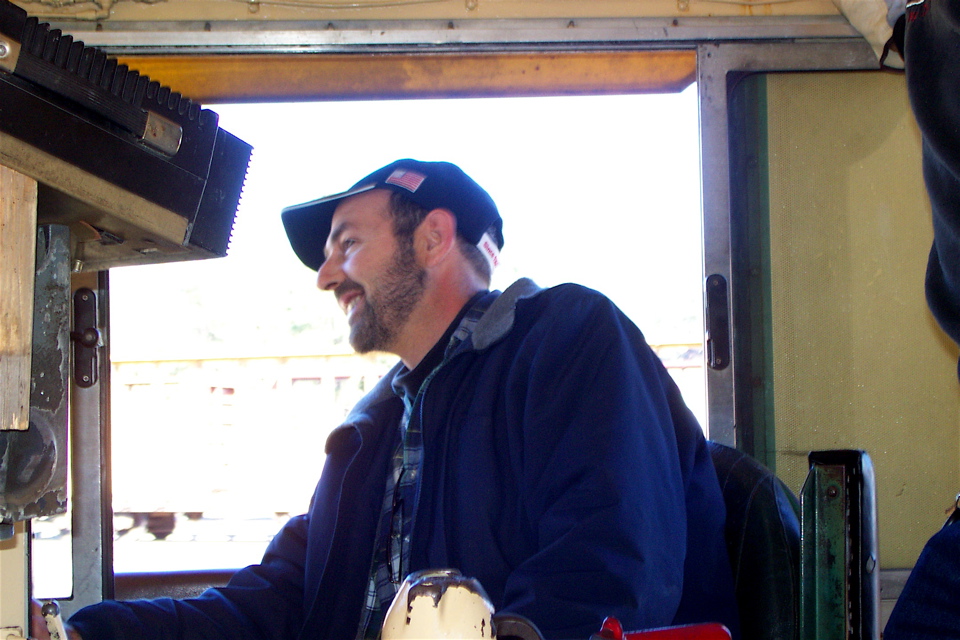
column 561, row 469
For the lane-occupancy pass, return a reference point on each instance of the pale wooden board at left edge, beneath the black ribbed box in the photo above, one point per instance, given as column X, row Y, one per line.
column 18, row 240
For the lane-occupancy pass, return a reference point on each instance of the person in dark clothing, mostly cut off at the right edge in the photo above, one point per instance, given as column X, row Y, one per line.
column 927, row 606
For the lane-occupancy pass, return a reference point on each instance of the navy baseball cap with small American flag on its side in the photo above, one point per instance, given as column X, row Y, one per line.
column 432, row 185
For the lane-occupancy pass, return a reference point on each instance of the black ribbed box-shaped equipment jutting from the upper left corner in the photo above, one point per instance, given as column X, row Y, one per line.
column 139, row 172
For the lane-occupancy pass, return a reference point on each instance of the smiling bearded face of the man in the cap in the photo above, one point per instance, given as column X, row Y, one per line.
column 376, row 280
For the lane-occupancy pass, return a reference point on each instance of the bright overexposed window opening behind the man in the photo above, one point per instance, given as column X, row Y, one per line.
column 247, row 365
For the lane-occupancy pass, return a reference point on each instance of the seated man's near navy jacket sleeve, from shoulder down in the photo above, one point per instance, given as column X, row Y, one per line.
column 601, row 479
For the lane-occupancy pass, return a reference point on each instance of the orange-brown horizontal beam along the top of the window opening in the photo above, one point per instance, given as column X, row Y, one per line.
column 246, row 78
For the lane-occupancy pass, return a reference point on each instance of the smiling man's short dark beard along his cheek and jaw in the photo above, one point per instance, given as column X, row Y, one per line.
column 383, row 314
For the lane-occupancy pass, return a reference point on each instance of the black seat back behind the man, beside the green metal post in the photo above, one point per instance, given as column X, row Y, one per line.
column 763, row 541
